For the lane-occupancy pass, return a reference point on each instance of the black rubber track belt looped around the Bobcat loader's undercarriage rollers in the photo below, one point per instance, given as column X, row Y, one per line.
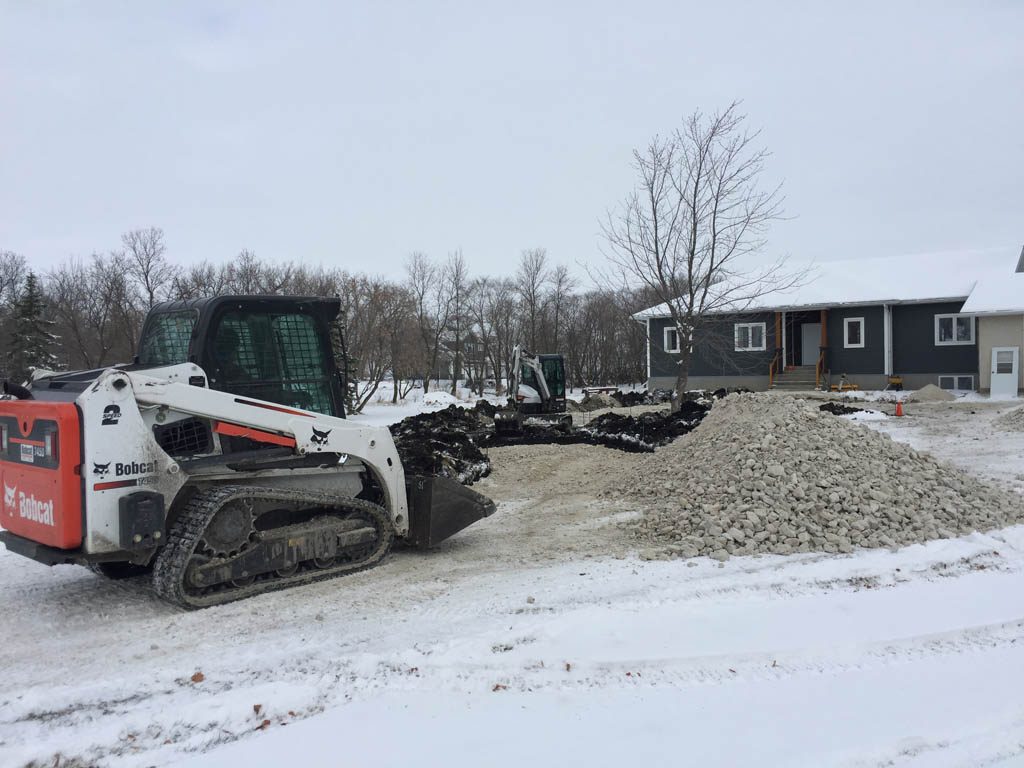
column 172, row 564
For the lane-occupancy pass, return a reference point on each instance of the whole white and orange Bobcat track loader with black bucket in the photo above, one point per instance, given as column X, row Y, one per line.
column 221, row 460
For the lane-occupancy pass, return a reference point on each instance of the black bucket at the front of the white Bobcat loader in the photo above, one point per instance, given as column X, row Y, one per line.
column 440, row 508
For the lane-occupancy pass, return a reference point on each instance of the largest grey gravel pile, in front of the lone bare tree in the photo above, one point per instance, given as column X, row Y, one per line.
column 771, row 475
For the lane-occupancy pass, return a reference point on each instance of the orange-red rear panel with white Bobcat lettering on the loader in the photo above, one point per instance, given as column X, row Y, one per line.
column 40, row 471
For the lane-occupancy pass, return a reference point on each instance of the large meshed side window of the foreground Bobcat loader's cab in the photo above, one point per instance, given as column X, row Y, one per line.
column 276, row 358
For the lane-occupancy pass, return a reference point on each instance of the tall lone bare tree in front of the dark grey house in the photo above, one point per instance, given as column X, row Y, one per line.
column 698, row 211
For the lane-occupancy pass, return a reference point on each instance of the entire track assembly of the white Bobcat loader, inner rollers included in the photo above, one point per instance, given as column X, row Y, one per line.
column 309, row 537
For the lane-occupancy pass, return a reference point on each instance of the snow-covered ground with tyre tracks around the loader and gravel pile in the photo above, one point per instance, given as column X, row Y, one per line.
column 536, row 637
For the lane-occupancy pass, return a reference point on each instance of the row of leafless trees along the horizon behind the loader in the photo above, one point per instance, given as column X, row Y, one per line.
column 439, row 326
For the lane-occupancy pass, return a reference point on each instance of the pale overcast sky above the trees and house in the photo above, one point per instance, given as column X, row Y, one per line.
column 355, row 134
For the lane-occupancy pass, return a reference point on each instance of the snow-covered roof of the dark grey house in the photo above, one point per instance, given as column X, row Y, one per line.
column 899, row 280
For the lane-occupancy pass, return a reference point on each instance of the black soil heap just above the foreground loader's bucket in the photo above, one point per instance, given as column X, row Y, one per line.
column 442, row 444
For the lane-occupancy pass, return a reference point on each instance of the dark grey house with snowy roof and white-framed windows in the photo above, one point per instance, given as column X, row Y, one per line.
column 863, row 322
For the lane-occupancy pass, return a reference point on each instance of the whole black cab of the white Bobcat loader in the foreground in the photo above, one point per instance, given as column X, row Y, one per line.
column 273, row 349
